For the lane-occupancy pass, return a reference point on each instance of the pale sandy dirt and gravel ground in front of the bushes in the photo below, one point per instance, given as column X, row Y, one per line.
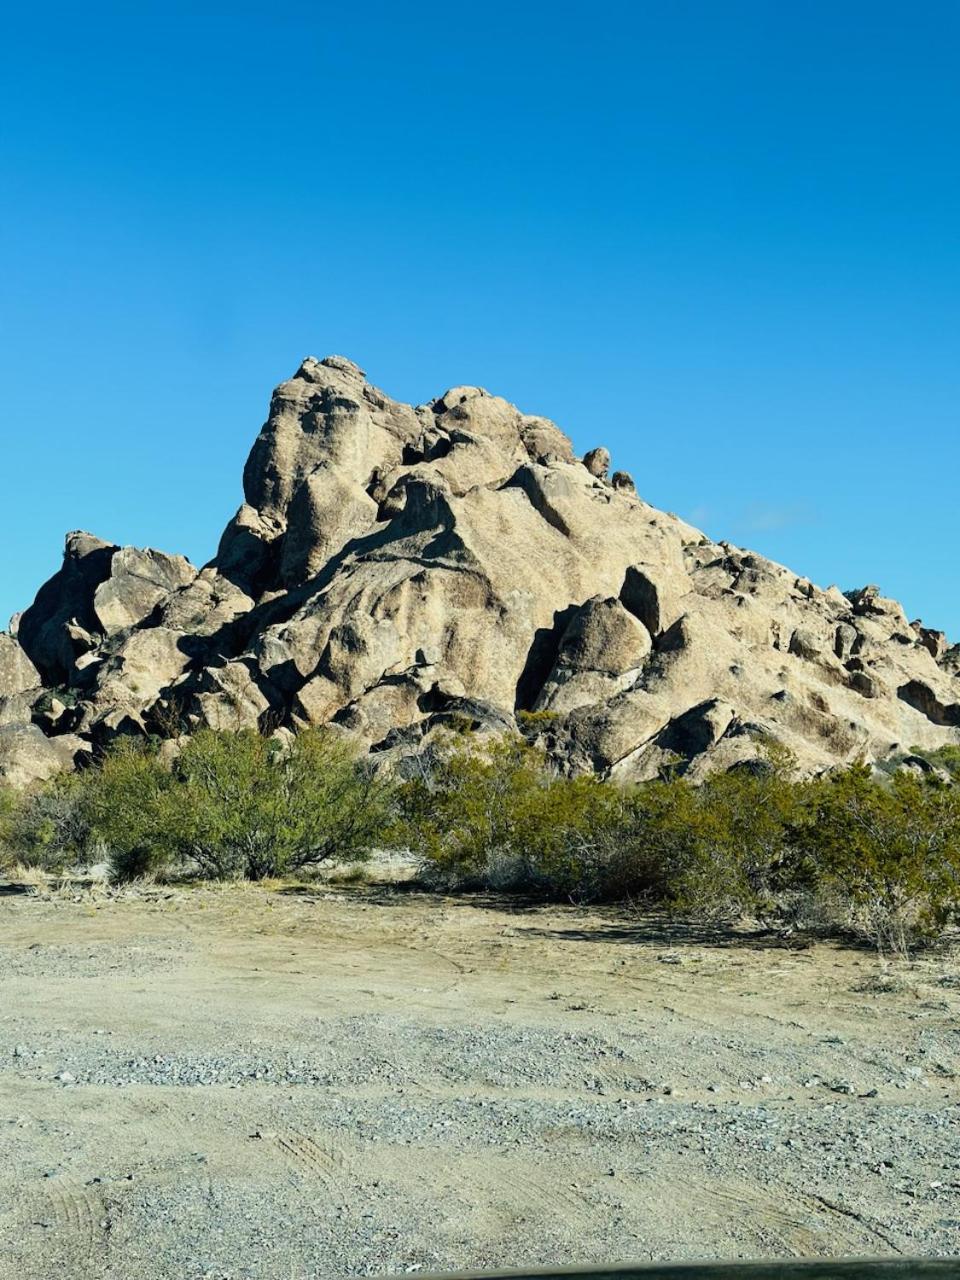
column 264, row 1084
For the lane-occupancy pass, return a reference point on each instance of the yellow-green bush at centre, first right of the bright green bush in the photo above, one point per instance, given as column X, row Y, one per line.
column 493, row 815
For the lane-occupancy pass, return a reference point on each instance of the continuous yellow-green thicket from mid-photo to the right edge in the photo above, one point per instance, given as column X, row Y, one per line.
column 875, row 857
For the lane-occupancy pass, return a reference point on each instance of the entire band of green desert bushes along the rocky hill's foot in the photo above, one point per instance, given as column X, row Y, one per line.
column 858, row 852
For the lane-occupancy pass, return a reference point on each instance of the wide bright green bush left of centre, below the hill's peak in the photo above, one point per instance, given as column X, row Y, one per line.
column 239, row 804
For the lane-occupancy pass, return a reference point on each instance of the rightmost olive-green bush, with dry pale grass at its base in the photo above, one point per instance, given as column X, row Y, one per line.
column 889, row 852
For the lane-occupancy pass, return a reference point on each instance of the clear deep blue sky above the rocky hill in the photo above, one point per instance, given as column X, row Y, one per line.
column 723, row 239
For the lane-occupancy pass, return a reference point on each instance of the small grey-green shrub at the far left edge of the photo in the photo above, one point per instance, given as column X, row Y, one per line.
column 47, row 828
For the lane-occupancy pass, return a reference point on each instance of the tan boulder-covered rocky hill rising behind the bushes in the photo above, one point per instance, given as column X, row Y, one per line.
column 396, row 570
